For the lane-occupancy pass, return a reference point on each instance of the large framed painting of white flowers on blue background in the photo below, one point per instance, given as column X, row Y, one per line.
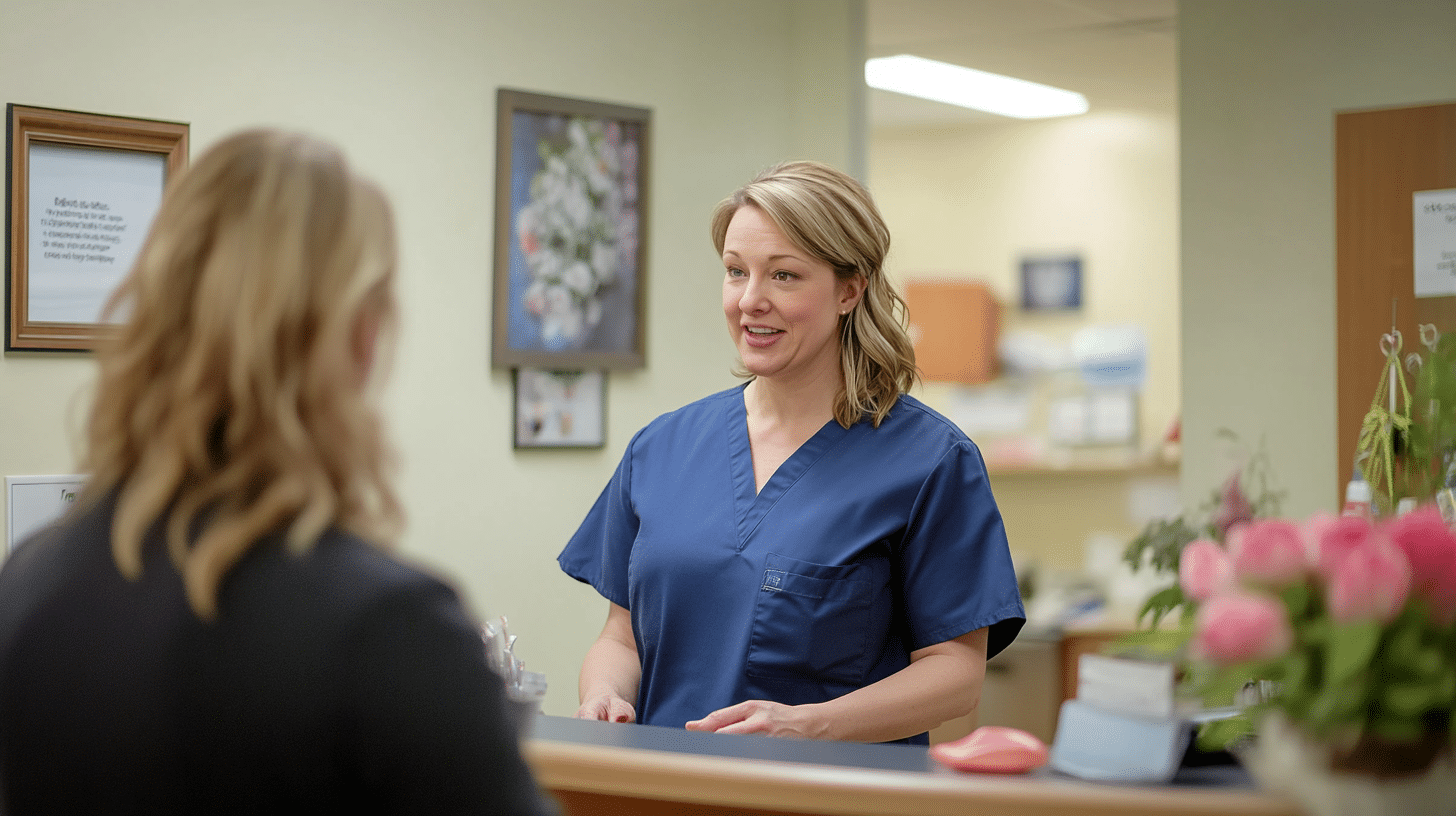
column 571, row 213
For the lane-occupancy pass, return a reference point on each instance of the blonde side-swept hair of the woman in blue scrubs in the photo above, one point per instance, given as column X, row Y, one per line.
column 832, row 216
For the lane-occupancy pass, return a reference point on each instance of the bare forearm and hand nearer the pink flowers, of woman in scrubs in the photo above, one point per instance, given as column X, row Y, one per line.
column 943, row 683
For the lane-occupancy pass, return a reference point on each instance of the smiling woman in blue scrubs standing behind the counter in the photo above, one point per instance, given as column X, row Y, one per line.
column 813, row 553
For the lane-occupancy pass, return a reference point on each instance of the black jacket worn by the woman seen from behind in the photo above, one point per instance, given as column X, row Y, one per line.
column 336, row 683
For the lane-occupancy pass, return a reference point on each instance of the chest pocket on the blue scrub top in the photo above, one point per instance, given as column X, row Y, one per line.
column 812, row 621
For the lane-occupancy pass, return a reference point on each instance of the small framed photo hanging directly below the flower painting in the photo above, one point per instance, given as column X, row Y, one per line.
column 560, row 409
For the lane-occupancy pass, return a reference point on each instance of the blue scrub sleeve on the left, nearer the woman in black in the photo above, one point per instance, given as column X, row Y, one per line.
column 601, row 550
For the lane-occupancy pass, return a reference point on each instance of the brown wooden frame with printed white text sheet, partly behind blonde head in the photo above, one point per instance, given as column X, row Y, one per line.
column 82, row 192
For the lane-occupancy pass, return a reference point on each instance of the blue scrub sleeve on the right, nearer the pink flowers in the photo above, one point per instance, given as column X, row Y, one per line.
column 956, row 562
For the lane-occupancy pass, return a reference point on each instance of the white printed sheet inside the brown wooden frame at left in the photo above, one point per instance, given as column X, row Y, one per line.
column 90, row 212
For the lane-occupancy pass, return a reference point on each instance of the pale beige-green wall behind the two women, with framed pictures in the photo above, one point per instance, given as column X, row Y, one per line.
column 408, row 90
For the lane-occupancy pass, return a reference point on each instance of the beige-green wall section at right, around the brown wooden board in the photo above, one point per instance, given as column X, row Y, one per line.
column 1260, row 87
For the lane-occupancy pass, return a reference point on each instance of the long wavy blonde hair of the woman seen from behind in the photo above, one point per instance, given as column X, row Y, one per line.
column 238, row 400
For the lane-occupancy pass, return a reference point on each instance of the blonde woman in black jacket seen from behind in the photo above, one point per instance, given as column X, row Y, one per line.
column 216, row 627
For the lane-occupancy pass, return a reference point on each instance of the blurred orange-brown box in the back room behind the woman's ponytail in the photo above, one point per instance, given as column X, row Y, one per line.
column 956, row 327
